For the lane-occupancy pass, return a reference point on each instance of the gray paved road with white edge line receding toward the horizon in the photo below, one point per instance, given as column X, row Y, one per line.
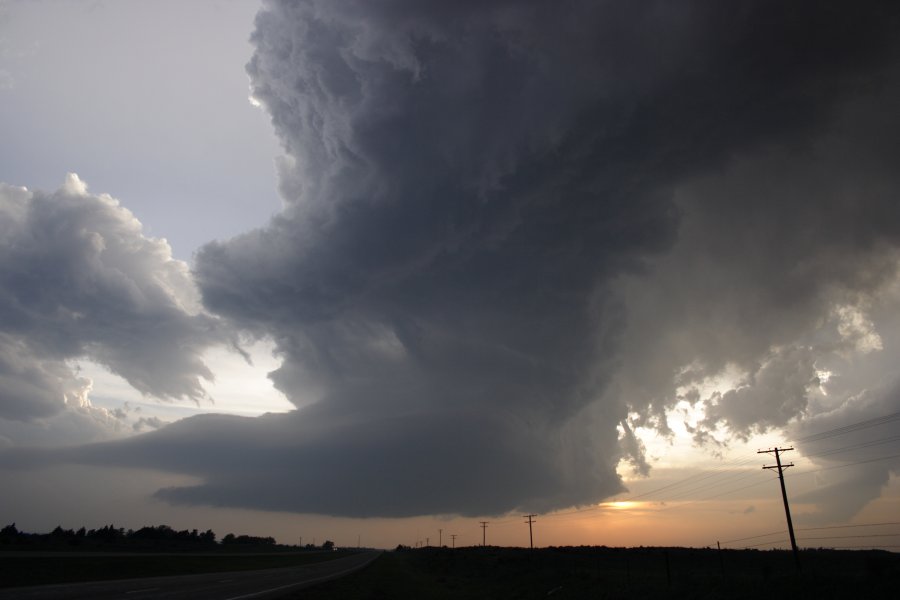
column 238, row 585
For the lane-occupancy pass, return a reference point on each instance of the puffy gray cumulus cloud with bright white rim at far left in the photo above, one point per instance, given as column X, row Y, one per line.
column 79, row 280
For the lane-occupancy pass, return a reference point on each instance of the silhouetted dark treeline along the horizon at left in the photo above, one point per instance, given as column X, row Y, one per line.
column 160, row 537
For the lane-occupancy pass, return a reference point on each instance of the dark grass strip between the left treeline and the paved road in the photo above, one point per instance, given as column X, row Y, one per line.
column 27, row 569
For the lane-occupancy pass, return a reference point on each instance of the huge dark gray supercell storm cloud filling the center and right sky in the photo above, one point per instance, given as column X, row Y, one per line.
column 510, row 225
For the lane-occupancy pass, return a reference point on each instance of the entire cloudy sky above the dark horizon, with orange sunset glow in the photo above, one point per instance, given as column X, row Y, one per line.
column 378, row 271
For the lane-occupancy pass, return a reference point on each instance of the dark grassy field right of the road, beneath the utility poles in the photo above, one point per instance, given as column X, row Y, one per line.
column 641, row 573
